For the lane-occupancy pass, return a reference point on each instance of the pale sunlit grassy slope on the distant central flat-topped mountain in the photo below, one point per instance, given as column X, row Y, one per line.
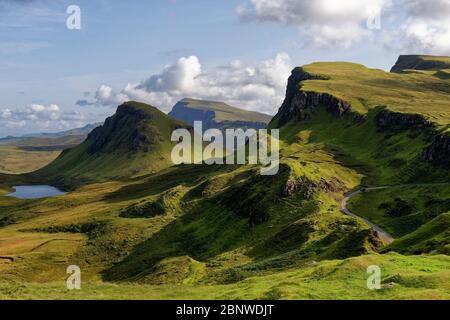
column 225, row 112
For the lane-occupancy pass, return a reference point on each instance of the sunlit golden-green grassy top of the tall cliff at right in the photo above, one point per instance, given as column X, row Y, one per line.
column 368, row 88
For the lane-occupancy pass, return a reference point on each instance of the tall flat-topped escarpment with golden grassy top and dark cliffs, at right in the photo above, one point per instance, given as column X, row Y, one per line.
column 360, row 95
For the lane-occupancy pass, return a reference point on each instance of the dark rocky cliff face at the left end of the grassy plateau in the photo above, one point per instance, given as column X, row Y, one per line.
column 300, row 104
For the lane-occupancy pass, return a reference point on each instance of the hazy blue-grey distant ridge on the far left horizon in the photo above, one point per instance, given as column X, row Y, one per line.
column 51, row 141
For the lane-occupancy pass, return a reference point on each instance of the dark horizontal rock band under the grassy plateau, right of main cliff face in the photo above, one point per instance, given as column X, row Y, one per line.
column 396, row 121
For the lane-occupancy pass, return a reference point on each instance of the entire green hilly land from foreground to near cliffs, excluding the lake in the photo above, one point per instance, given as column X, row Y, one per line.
column 140, row 227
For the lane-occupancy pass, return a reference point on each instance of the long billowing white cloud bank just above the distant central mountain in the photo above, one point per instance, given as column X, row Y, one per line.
column 258, row 87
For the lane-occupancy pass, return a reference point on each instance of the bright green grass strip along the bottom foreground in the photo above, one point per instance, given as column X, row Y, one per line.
column 414, row 277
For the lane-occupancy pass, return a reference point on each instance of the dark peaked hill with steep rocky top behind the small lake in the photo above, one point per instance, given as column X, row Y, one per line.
column 133, row 142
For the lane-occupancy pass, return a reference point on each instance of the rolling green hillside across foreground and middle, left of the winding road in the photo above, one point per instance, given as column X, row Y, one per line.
column 212, row 207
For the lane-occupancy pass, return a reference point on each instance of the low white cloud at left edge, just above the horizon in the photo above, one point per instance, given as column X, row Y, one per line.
column 40, row 117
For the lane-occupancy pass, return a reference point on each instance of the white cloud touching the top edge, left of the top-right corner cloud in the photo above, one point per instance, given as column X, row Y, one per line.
column 322, row 23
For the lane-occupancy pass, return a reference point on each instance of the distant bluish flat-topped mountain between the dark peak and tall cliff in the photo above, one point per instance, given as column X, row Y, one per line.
column 218, row 115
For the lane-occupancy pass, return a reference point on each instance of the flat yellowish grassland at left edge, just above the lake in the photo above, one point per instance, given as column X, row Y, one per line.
column 15, row 160
